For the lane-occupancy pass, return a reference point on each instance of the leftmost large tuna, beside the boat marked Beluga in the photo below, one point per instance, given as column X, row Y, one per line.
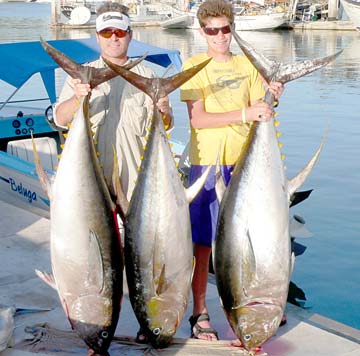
column 86, row 256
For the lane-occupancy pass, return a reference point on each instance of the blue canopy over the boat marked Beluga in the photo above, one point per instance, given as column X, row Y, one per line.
column 19, row 61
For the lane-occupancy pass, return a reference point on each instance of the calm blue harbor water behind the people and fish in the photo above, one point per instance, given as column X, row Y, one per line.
column 325, row 104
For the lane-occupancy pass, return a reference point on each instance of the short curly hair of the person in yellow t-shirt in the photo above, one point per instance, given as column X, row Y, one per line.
column 215, row 8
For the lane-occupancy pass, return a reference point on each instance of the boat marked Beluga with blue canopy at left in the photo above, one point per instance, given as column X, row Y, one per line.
column 19, row 184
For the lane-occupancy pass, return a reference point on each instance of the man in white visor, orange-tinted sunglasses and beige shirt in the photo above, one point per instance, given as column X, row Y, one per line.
column 119, row 112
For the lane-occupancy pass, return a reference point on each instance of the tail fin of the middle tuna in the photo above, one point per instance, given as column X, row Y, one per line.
column 163, row 86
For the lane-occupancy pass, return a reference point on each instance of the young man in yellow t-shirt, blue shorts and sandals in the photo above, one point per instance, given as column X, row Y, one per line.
column 222, row 99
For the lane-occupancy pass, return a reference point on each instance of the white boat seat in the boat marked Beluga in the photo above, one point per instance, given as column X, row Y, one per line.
column 45, row 146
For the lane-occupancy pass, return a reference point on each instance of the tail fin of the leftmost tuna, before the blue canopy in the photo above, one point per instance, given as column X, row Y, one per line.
column 91, row 75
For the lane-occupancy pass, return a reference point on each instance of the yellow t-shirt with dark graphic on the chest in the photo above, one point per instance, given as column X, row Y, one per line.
column 223, row 87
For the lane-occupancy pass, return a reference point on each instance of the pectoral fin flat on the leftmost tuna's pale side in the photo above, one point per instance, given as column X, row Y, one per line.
column 95, row 263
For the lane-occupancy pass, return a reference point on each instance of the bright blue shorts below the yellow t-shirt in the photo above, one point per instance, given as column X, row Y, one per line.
column 204, row 209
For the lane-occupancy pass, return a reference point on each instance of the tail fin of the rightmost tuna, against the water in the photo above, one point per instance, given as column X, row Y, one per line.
column 274, row 71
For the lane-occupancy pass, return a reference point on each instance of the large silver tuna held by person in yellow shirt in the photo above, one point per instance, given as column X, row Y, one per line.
column 252, row 255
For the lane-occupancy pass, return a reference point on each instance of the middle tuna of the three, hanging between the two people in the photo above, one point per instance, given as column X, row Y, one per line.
column 158, row 244
